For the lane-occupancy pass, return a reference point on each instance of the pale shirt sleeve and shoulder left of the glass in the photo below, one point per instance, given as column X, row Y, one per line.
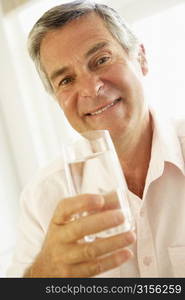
column 38, row 202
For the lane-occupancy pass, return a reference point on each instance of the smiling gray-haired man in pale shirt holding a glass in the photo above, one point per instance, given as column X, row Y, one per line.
column 88, row 58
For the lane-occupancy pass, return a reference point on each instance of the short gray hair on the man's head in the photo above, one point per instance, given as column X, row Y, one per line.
column 61, row 15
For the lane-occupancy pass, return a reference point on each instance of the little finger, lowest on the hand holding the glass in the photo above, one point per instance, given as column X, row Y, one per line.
column 103, row 264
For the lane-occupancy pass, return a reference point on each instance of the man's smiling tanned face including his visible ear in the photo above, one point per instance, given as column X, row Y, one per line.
column 97, row 84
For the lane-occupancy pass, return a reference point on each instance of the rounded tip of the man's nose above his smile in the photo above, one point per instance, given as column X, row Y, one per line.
column 90, row 85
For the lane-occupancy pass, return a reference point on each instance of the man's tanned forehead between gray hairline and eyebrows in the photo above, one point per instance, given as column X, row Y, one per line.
column 71, row 42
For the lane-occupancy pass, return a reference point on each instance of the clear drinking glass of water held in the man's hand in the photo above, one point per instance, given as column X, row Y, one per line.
column 92, row 166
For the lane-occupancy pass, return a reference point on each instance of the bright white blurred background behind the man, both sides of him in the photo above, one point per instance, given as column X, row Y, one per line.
column 32, row 127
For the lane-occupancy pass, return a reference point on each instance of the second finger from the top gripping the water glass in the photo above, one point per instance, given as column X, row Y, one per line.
column 78, row 229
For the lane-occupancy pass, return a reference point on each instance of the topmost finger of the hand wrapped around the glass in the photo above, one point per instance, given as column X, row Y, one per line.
column 69, row 207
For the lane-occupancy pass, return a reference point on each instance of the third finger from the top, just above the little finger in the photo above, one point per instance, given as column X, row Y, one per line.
column 89, row 251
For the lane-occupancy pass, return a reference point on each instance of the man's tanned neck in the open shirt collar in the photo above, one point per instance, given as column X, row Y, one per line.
column 134, row 156
